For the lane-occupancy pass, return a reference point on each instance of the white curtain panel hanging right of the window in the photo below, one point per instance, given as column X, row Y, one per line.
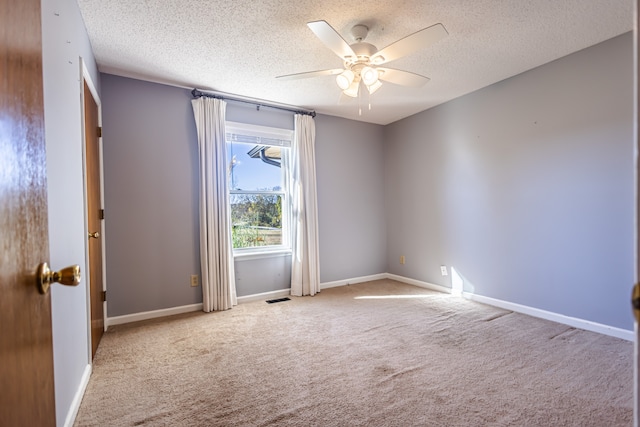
column 305, row 265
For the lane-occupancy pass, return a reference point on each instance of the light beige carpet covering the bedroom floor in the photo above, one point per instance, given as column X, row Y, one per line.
column 374, row 354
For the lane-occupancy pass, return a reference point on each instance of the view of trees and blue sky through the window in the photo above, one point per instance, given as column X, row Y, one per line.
column 256, row 196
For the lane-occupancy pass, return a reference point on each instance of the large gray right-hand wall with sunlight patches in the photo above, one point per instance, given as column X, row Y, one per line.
column 525, row 187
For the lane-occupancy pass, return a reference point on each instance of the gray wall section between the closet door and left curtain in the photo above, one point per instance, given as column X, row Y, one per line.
column 150, row 191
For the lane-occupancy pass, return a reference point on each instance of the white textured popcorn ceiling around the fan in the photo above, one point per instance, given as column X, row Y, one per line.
column 239, row 47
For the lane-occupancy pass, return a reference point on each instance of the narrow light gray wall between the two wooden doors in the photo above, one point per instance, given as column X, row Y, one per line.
column 64, row 42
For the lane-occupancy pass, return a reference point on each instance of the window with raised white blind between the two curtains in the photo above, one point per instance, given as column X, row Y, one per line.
column 258, row 159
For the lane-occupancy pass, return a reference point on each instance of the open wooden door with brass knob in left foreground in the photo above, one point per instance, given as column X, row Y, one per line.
column 26, row 349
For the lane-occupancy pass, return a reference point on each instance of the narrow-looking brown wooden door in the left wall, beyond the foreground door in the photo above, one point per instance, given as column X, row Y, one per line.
column 94, row 220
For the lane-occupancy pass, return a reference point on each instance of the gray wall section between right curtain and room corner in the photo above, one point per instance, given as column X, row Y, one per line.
column 350, row 172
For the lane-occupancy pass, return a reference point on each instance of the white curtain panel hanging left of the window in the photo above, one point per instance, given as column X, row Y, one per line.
column 216, row 250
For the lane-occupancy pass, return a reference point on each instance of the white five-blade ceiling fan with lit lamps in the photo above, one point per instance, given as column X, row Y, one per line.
column 362, row 61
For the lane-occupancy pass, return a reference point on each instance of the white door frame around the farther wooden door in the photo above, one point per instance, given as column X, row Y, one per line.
column 85, row 76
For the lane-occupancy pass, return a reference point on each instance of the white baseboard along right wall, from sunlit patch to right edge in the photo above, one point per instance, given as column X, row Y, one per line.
column 554, row 317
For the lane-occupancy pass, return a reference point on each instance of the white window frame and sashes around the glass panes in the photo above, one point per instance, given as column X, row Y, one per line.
column 236, row 132
